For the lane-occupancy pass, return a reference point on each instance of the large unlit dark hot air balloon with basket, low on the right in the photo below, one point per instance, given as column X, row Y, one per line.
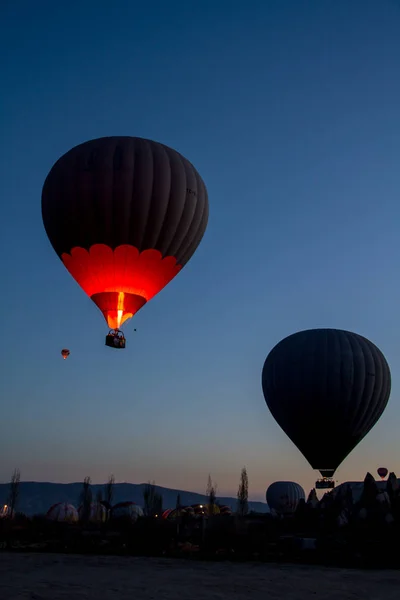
column 326, row 388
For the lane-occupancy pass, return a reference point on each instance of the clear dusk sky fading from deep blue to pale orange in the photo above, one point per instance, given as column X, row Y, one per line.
column 290, row 112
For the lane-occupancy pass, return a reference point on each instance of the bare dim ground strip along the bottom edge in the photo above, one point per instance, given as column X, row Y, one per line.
column 67, row 577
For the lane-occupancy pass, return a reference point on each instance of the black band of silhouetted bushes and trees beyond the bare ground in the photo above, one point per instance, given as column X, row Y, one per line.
column 355, row 525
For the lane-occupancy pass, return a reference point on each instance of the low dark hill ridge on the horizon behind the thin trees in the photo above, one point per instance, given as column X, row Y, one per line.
column 37, row 497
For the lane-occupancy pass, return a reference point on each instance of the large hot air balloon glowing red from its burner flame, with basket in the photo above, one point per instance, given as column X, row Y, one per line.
column 124, row 215
